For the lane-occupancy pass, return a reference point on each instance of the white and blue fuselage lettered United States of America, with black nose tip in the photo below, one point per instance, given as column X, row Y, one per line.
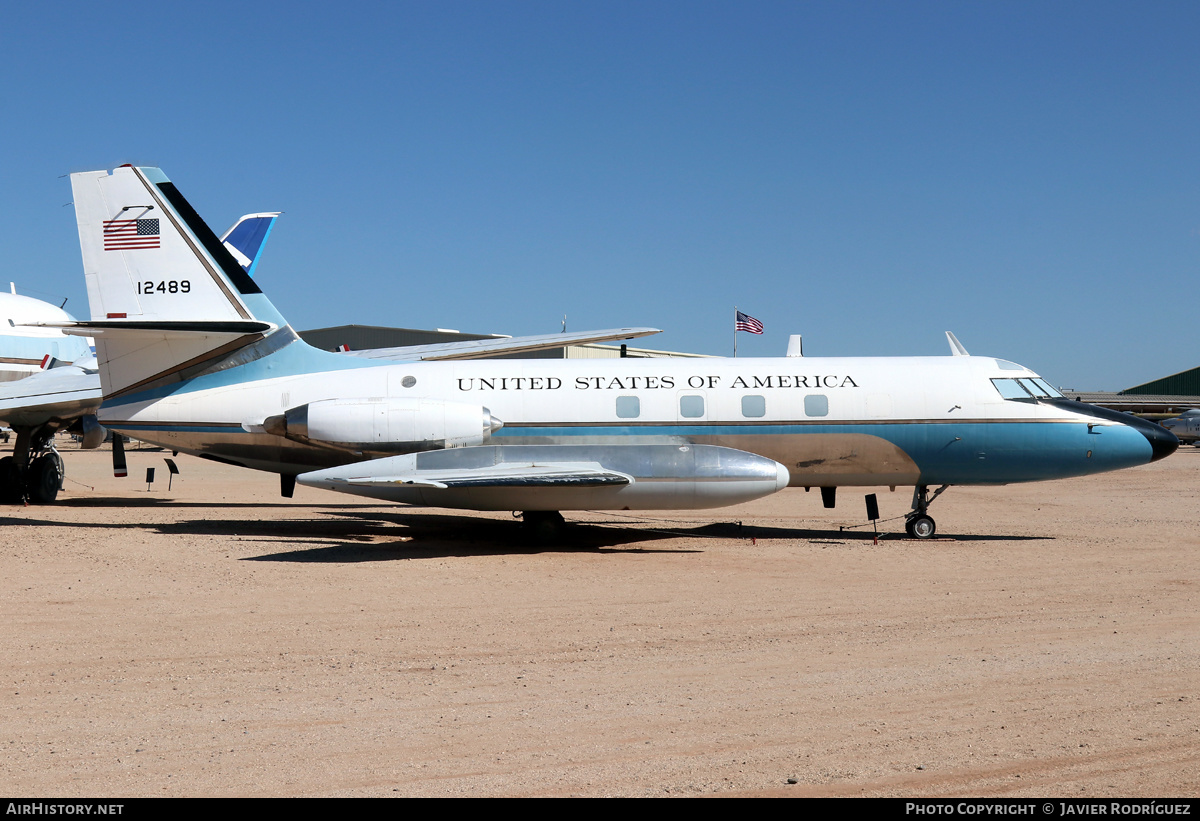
column 831, row 422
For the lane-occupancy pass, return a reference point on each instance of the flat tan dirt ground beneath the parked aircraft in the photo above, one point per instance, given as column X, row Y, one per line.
column 218, row 640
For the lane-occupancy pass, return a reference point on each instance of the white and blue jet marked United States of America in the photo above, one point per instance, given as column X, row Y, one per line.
column 194, row 357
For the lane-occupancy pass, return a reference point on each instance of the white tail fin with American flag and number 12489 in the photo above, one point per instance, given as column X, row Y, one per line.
column 169, row 299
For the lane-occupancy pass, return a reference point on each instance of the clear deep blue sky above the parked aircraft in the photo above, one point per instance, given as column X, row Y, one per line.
column 868, row 175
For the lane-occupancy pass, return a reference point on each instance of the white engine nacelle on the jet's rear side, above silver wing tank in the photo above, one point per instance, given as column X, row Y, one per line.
column 387, row 427
